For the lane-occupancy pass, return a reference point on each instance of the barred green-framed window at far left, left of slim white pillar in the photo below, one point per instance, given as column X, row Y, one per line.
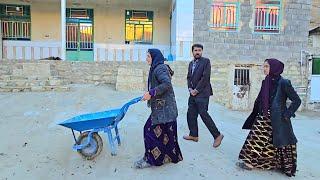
column 16, row 22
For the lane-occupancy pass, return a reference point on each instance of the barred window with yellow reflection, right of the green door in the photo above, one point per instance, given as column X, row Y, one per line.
column 139, row 26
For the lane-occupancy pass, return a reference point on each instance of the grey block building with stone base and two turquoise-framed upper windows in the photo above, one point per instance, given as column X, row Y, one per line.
column 243, row 33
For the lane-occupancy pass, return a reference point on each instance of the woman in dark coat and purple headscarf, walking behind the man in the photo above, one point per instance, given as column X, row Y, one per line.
column 271, row 143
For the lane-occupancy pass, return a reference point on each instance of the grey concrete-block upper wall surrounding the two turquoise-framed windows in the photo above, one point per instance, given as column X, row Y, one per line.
column 247, row 45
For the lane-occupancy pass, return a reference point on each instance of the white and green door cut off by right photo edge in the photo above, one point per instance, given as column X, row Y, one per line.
column 315, row 80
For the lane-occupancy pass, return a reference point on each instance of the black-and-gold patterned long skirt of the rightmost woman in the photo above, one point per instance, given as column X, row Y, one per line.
column 259, row 152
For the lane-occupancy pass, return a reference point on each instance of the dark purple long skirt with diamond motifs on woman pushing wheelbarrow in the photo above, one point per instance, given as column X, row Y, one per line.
column 161, row 143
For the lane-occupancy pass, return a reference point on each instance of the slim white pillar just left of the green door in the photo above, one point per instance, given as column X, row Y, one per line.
column 63, row 29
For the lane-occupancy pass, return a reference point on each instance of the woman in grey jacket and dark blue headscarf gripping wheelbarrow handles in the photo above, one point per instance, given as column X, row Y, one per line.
column 160, row 130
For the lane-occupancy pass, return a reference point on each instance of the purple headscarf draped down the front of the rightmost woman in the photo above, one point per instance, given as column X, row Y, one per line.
column 276, row 69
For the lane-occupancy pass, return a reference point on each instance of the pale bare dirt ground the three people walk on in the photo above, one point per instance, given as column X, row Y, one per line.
column 33, row 146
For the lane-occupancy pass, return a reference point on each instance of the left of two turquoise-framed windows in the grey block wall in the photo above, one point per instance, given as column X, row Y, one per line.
column 225, row 16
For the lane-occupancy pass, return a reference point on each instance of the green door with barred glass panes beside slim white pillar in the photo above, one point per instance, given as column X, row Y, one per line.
column 79, row 32
